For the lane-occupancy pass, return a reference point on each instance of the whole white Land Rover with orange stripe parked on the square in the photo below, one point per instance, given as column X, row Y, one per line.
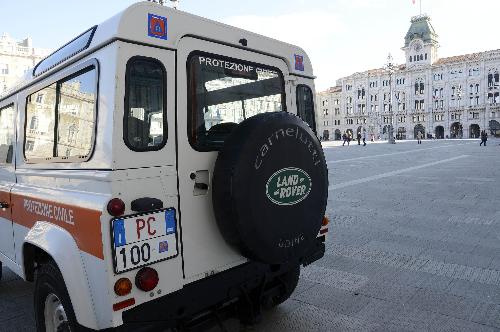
column 158, row 167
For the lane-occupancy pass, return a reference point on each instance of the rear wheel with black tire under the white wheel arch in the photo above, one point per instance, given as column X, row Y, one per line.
column 52, row 296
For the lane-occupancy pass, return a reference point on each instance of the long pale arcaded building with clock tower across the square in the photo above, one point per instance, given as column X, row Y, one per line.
column 454, row 97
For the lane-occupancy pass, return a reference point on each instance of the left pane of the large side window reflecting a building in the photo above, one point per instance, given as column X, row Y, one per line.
column 40, row 117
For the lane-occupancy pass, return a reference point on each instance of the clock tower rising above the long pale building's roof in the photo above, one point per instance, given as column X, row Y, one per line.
column 421, row 42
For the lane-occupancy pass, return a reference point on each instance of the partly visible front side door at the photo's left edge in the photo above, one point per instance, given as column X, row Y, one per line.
column 7, row 180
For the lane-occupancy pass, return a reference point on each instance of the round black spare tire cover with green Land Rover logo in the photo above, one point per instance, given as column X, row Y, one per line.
column 270, row 188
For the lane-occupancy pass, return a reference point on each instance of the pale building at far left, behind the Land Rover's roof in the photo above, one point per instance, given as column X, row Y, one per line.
column 16, row 58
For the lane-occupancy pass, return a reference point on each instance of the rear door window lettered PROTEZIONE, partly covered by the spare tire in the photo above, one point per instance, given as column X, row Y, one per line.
column 222, row 92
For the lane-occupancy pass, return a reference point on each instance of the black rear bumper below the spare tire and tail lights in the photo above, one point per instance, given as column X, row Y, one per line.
column 203, row 296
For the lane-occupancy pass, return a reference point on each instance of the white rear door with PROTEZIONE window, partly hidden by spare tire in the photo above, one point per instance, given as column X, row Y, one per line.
column 218, row 87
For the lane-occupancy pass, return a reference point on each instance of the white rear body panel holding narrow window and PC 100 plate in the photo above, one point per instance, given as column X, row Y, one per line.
column 145, row 175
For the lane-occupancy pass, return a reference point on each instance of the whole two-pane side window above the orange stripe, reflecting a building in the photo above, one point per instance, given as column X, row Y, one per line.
column 60, row 119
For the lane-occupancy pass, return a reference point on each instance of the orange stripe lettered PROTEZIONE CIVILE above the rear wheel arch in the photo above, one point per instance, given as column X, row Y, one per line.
column 83, row 224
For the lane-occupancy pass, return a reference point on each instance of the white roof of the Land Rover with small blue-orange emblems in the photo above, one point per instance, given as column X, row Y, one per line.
column 132, row 25
